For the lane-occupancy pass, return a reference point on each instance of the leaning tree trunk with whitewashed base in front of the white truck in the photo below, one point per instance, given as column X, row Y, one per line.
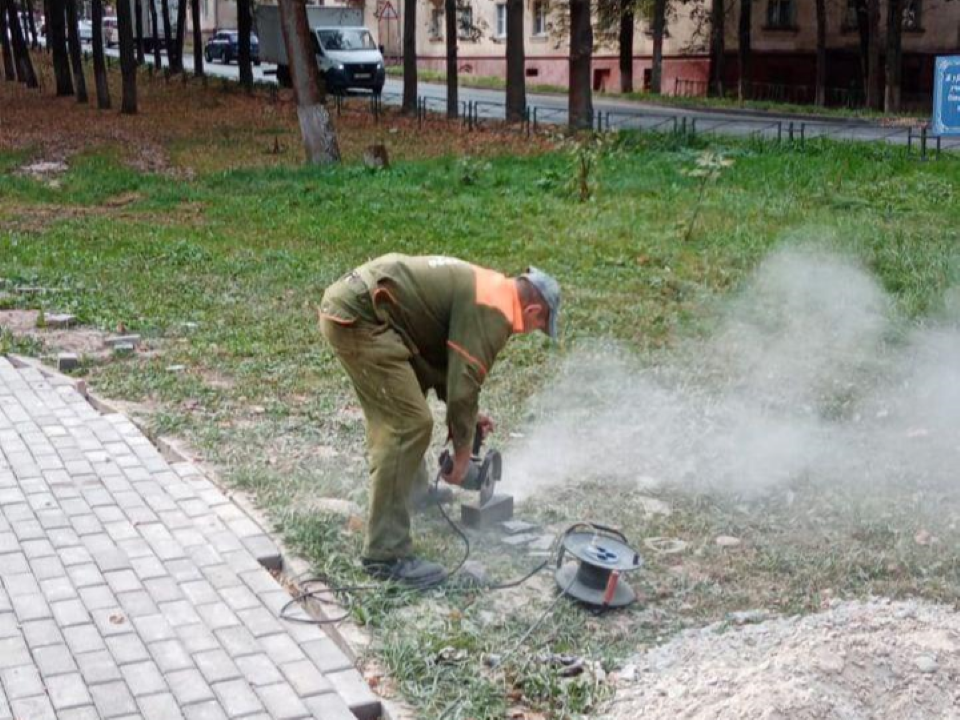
column 319, row 135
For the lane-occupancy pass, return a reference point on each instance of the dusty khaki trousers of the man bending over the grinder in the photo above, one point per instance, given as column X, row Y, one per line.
column 399, row 426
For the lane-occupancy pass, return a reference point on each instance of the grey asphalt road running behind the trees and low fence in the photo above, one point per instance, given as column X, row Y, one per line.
column 617, row 114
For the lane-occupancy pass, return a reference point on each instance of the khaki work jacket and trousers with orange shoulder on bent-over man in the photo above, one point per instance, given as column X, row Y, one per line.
column 401, row 325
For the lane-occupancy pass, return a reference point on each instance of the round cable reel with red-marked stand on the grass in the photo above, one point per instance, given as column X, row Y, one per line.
column 603, row 555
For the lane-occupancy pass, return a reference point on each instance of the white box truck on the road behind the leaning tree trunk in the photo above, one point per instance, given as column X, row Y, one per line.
column 347, row 55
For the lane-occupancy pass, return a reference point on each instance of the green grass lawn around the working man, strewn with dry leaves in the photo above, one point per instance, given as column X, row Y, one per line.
column 218, row 255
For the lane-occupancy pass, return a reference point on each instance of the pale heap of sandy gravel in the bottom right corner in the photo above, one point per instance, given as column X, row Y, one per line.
column 857, row 661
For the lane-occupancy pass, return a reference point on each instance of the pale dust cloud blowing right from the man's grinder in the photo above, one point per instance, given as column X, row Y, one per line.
column 809, row 376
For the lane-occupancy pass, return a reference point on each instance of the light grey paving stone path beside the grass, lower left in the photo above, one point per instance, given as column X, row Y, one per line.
column 128, row 585
